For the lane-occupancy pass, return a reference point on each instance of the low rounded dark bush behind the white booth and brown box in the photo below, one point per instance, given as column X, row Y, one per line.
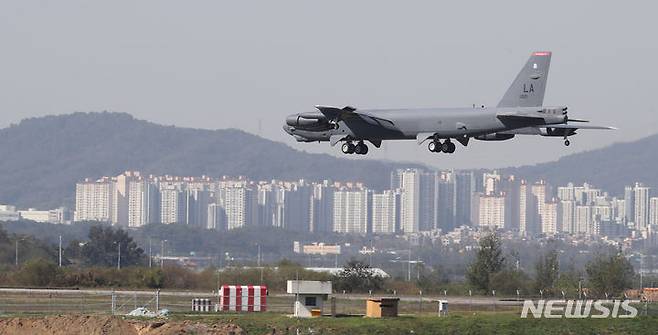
column 357, row 276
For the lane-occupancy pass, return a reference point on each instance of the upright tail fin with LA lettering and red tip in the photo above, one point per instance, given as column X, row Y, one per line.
column 527, row 90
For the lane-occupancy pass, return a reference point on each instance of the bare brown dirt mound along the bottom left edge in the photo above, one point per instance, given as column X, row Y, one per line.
column 107, row 325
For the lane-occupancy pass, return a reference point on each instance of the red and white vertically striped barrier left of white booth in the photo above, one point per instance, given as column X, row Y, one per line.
column 243, row 298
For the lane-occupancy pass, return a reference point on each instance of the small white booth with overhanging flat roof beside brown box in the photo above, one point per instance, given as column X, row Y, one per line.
column 310, row 296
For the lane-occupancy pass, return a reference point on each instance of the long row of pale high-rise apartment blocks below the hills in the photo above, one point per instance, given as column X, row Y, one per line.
column 418, row 201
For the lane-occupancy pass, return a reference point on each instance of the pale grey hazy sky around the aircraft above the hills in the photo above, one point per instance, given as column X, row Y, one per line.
column 248, row 64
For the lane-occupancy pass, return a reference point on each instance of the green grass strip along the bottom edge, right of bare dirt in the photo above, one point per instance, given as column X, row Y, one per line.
column 488, row 323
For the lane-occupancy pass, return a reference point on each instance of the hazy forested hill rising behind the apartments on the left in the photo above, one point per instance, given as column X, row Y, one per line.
column 42, row 158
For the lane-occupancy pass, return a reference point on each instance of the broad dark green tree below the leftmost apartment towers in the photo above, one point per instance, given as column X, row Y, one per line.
column 102, row 249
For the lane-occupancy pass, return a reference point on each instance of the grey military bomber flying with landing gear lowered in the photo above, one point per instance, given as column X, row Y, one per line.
column 520, row 112
